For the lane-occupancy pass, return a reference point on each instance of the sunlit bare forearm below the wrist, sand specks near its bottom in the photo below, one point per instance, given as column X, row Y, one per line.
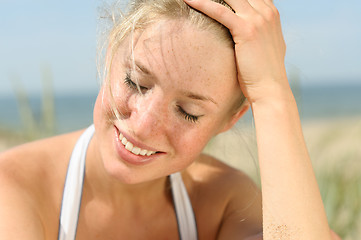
column 292, row 205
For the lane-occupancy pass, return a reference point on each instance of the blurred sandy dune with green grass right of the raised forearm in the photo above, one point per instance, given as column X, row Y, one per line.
column 335, row 147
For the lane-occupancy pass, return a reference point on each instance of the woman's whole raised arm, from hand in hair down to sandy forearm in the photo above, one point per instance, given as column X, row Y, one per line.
column 292, row 205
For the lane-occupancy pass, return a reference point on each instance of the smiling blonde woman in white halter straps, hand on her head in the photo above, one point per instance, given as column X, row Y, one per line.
column 174, row 79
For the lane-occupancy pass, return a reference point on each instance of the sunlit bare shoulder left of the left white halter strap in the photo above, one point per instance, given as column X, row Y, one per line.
column 30, row 180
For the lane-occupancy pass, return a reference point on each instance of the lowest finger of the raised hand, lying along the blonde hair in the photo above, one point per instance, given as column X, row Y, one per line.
column 216, row 11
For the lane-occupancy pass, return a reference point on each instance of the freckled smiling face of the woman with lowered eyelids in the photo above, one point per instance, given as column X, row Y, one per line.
column 188, row 86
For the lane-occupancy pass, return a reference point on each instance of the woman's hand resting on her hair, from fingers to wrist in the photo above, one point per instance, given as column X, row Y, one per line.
column 259, row 44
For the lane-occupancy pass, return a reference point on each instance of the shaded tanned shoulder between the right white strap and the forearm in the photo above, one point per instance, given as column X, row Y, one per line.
column 231, row 193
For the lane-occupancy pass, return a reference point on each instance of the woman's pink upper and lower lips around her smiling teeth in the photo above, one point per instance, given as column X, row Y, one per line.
column 129, row 157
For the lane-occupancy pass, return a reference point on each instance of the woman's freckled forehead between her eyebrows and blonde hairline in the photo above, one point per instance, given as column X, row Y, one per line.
column 183, row 54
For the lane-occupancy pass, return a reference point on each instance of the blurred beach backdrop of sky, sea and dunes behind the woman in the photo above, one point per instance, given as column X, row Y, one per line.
column 48, row 85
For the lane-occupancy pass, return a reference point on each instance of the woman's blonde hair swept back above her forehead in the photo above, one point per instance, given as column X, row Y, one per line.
column 143, row 13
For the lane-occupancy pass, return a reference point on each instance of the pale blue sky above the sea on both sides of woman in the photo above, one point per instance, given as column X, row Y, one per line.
column 323, row 42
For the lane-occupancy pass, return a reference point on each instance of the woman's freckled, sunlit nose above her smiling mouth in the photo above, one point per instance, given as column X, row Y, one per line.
column 148, row 115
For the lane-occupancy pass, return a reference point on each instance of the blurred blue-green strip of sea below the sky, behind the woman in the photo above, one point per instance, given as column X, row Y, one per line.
column 73, row 112
